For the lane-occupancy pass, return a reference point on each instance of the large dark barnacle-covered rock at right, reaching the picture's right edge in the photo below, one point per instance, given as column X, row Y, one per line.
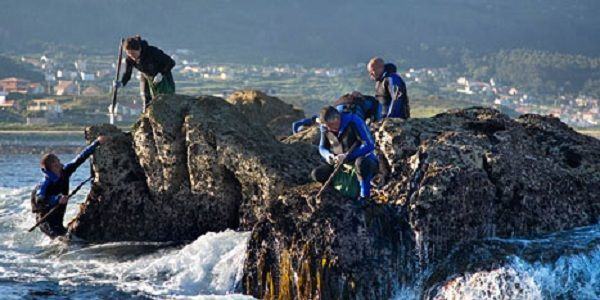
column 474, row 173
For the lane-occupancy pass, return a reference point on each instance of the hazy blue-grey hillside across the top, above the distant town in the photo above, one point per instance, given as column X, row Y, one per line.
column 309, row 31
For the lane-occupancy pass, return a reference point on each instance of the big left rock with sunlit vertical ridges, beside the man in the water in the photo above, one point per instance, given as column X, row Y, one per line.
column 200, row 166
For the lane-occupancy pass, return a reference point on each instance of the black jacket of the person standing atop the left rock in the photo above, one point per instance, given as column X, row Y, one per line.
column 151, row 62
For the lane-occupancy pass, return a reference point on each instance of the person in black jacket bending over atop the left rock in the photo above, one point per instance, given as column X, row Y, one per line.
column 155, row 68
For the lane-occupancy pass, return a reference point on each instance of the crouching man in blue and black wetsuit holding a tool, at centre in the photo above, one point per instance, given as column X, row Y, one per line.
column 339, row 132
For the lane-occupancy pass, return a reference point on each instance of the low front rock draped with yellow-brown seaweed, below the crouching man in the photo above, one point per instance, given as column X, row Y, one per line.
column 339, row 251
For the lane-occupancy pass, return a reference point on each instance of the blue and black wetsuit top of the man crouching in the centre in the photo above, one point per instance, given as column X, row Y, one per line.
column 352, row 129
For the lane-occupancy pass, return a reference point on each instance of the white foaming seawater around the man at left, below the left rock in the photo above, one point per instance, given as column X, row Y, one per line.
column 31, row 265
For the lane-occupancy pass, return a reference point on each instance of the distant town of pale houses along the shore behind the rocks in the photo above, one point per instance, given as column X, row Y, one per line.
column 75, row 89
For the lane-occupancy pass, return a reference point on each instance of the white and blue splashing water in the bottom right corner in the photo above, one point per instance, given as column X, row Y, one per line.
column 570, row 277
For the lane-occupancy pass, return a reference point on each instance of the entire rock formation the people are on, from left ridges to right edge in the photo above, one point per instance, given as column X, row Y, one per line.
column 198, row 164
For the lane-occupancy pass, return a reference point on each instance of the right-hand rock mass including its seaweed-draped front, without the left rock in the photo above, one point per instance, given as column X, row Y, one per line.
column 457, row 177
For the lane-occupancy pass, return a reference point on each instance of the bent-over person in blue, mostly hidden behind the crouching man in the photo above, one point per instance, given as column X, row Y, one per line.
column 366, row 107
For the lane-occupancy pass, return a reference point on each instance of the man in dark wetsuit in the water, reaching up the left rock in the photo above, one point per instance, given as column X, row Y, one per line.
column 53, row 190
